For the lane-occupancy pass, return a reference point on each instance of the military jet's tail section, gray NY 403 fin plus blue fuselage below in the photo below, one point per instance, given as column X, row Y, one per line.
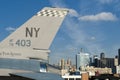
column 27, row 48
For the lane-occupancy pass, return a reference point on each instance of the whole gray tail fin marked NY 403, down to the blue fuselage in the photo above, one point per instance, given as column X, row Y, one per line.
column 33, row 38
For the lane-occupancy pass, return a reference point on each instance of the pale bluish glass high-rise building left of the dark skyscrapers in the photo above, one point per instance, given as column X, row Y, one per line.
column 82, row 59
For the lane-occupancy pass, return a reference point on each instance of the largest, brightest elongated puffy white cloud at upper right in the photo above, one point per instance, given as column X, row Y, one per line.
column 104, row 16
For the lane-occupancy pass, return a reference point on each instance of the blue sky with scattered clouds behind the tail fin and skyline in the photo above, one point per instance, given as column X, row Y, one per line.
column 93, row 25
